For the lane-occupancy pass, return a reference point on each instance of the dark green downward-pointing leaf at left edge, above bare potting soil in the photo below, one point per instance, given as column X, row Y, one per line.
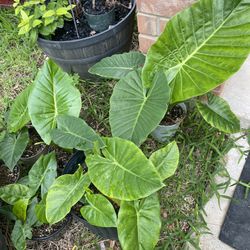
column 12, row 147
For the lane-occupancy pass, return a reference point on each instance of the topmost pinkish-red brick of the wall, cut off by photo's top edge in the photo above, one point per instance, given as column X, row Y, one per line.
column 166, row 8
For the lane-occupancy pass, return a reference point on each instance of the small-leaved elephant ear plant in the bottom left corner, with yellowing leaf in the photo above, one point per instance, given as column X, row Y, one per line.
column 26, row 199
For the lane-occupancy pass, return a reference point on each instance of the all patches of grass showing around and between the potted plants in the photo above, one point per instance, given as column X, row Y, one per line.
column 202, row 148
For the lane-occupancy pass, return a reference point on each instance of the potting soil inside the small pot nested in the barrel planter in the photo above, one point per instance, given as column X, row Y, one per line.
column 101, row 7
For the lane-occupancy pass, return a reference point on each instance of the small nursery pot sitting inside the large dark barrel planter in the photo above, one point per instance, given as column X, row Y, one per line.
column 100, row 22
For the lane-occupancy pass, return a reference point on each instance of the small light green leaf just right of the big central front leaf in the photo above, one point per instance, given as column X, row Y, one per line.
column 166, row 160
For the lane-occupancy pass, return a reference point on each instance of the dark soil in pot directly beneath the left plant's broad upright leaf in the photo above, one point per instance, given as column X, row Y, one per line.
column 35, row 144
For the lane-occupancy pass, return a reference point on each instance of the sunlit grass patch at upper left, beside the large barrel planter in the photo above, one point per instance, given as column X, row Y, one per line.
column 19, row 60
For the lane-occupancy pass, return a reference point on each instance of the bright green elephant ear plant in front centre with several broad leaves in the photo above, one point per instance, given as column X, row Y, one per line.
column 126, row 180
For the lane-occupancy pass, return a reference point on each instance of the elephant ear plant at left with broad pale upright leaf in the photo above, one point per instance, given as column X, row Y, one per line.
column 51, row 94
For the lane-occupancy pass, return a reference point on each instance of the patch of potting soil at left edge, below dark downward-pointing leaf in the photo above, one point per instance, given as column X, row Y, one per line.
column 7, row 176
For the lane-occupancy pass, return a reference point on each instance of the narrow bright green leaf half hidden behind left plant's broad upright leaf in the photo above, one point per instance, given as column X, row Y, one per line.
column 19, row 115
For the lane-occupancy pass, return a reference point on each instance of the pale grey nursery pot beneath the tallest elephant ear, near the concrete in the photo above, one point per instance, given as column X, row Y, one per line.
column 163, row 133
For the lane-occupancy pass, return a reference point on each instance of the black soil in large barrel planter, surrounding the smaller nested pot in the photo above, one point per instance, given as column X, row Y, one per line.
column 68, row 32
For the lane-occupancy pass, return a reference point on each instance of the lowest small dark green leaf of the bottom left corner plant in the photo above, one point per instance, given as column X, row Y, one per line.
column 19, row 235
